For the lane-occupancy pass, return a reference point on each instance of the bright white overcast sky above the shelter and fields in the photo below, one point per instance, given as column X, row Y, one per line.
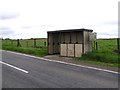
column 33, row 18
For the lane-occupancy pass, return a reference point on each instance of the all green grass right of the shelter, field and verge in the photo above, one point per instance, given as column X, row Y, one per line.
column 105, row 54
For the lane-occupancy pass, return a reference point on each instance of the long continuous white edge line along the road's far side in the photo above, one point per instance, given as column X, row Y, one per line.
column 65, row 63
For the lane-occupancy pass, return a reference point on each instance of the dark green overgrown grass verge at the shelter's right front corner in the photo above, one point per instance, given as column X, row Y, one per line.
column 106, row 59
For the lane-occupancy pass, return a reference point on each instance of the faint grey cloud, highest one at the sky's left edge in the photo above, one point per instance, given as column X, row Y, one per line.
column 4, row 16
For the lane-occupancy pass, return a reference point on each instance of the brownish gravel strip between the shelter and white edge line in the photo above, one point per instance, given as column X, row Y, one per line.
column 80, row 62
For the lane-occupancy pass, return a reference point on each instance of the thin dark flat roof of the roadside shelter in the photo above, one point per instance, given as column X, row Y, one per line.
column 70, row 30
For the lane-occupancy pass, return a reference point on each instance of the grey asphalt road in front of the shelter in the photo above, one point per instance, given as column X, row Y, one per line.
column 19, row 71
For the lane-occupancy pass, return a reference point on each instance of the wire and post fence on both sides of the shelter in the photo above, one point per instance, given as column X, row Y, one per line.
column 100, row 45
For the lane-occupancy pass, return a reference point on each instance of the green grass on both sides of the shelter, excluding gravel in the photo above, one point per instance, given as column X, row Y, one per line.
column 106, row 53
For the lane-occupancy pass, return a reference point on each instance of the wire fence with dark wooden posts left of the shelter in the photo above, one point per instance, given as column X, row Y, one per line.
column 35, row 43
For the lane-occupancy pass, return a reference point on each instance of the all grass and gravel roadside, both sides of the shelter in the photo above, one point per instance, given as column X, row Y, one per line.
column 105, row 57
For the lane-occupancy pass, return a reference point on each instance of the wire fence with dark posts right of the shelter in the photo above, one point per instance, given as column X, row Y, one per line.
column 106, row 45
